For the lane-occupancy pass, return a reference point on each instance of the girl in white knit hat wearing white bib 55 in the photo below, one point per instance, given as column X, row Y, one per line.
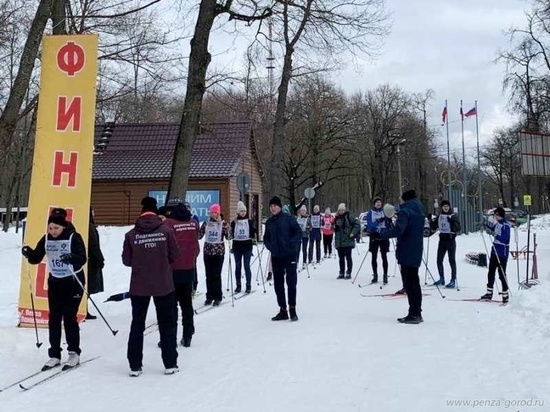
column 243, row 233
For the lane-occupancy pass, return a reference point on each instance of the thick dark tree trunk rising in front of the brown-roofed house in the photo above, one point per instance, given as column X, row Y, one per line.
column 199, row 59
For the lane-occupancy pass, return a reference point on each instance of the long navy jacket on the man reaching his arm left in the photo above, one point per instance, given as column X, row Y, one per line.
column 409, row 231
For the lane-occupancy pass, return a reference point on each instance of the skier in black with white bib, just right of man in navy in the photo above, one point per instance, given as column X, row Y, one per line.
column 448, row 224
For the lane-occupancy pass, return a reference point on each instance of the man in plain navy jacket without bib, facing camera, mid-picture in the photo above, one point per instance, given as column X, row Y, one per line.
column 282, row 238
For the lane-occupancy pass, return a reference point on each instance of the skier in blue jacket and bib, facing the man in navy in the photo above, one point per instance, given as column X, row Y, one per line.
column 378, row 222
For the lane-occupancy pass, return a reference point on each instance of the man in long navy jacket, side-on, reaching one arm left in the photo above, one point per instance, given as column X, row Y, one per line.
column 409, row 231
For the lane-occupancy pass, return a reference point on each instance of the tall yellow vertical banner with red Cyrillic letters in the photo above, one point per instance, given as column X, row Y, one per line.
column 63, row 156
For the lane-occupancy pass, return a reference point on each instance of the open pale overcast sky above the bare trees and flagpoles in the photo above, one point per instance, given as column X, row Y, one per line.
column 446, row 45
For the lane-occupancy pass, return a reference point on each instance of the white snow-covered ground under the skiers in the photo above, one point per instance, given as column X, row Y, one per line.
column 346, row 353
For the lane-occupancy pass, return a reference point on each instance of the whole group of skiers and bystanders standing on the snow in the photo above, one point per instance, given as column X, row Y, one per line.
column 162, row 250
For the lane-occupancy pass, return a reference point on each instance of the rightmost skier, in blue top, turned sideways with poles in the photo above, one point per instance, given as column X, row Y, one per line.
column 499, row 254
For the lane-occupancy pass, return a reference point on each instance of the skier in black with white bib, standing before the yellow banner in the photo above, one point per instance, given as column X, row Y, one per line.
column 66, row 254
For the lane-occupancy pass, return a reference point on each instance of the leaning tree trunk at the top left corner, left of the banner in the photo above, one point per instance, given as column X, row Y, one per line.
column 10, row 115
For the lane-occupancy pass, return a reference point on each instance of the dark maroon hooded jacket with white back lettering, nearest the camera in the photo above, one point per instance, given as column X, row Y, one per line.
column 149, row 249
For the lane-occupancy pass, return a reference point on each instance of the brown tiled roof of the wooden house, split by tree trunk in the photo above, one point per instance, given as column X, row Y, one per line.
column 145, row 150
